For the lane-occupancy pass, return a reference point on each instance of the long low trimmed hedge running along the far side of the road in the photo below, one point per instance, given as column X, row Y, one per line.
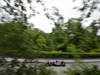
column 63, row 55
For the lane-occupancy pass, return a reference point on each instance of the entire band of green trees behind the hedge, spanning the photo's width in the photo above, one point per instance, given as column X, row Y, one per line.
column 16, row 39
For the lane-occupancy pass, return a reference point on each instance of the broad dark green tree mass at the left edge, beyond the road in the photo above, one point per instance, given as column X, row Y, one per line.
column 14, row 39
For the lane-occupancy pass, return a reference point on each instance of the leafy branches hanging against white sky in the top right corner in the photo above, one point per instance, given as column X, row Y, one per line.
column 88, row 8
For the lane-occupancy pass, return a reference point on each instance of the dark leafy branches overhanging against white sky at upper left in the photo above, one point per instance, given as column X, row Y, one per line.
column 19, row 10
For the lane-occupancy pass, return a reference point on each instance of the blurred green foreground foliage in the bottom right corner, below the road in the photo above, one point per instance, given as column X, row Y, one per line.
column 83, row 69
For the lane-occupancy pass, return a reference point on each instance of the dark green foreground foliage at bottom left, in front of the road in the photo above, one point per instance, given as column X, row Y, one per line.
column 25, row 69
